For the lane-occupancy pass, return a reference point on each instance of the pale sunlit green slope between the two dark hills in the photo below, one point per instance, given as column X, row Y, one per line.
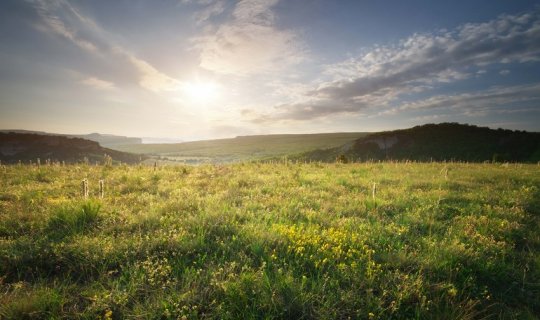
column 247, row 147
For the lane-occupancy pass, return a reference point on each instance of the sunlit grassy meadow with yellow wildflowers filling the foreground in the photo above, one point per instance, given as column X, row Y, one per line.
column 273, row 241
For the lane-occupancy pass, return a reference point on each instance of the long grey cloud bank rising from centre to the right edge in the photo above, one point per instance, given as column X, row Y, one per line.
column 383, row 74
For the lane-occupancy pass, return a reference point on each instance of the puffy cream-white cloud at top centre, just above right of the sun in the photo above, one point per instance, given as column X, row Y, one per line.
column 250, row 43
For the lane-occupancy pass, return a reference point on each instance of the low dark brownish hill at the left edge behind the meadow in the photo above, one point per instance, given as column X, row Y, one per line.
column 26, row 147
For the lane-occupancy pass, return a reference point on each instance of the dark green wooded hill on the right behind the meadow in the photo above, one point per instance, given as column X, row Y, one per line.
column 439, row 142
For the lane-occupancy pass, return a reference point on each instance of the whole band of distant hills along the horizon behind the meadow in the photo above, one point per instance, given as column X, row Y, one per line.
column 431, row 142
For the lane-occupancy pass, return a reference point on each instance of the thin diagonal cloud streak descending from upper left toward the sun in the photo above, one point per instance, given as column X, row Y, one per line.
column 61, row 18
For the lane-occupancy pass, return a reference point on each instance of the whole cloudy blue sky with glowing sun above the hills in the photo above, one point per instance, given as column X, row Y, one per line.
column 200, row 69
